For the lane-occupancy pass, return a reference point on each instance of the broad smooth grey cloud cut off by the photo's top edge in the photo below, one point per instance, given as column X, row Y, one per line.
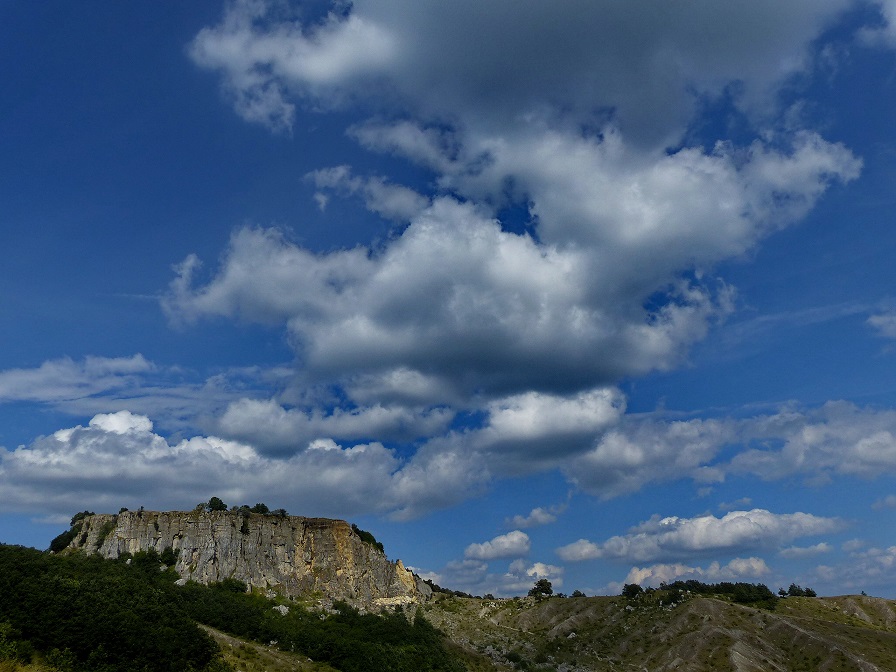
column 503, row 61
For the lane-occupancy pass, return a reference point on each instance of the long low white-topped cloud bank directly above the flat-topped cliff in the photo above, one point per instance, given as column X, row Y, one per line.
column 117, row 460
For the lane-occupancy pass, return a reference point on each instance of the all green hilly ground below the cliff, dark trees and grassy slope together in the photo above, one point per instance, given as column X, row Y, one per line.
column 72, row 612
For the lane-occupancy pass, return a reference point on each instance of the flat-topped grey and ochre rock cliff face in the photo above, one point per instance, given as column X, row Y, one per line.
column 290, row 554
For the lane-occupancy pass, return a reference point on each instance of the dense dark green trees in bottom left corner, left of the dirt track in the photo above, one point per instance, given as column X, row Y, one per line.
column 84, row 613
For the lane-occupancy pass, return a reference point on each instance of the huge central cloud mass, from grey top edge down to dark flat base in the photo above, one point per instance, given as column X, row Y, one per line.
column 456, row 299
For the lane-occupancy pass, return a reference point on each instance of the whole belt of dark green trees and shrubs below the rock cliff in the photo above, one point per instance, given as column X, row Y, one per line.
column 79, row 613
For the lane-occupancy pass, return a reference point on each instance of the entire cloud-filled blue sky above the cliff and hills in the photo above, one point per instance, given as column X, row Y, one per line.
column 596, row 292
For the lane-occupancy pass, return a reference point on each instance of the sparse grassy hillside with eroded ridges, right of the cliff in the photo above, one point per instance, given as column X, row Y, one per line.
column 611, row 633
